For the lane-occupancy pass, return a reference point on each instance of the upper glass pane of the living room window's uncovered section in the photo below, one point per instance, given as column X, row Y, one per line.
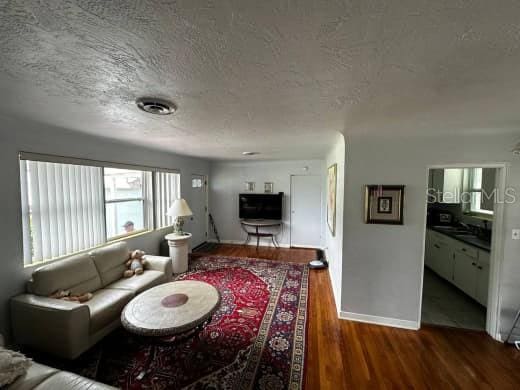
column 123, row 184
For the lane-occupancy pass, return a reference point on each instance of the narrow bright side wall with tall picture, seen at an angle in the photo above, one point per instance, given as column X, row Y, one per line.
column 334, row 244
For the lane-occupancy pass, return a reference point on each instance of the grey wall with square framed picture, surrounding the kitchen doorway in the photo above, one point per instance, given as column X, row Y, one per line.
column 382, row 264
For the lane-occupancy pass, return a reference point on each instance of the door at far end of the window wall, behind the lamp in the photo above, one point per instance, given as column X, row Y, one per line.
column 198, row 203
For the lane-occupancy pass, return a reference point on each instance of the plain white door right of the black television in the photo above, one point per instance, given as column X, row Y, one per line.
column 306, row 211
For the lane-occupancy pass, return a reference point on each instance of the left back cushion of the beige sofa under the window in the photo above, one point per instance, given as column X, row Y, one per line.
column 76, row 273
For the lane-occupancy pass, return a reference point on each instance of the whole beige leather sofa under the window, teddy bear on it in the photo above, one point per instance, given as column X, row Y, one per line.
column 67, row 329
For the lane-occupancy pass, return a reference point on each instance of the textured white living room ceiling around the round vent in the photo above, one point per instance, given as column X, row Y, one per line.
column 279, row 77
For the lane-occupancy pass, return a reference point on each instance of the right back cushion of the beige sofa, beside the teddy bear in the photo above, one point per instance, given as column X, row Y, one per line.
column 110, row 261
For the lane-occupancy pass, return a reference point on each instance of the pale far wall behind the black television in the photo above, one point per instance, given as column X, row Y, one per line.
column 227, row 181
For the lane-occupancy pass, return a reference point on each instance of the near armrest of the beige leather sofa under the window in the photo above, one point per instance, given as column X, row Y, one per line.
column 55, row 326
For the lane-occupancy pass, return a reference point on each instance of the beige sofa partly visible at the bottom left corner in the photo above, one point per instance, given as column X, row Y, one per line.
column 40, row 377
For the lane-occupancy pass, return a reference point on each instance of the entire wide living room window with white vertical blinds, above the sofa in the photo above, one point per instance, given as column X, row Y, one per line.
column 70, row 205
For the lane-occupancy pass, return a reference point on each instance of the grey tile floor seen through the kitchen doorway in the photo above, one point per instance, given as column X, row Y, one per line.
column 444, row 304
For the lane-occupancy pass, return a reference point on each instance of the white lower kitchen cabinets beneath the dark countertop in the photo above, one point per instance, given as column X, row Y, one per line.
column 464, row 265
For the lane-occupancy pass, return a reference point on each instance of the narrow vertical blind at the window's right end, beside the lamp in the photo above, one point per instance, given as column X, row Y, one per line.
column 167, row 189
